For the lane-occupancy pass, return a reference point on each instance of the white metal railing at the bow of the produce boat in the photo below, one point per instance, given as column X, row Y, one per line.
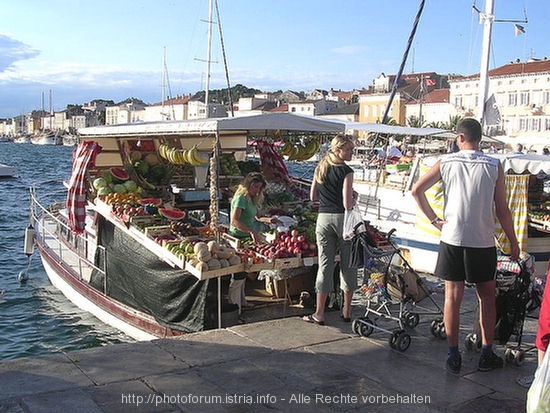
column 56, row 231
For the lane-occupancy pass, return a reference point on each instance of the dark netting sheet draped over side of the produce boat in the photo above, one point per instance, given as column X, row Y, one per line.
column 137, row 278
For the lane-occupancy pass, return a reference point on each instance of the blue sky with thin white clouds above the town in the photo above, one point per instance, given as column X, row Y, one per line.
column 114, row 49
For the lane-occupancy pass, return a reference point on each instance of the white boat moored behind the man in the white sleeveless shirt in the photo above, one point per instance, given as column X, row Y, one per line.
column 386, row 201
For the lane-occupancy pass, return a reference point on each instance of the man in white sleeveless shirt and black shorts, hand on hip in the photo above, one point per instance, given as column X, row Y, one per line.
column 473, row 185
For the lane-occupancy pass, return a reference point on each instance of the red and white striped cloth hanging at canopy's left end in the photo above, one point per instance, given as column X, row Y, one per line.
column 83, row 158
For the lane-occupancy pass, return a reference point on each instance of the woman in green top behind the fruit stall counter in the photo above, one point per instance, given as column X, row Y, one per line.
column 245, row 215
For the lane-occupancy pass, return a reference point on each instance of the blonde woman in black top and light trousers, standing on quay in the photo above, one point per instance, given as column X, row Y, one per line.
column 333, row 187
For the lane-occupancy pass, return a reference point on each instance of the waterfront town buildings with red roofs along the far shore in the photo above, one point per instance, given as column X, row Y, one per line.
column 519, row 105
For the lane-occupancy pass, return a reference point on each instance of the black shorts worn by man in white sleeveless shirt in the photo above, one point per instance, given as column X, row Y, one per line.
column 473, row 265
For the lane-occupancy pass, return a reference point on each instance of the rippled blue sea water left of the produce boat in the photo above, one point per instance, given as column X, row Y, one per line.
column 35, row 318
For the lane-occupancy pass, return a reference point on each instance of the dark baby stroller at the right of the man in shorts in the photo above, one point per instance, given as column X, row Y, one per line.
column 515, row 297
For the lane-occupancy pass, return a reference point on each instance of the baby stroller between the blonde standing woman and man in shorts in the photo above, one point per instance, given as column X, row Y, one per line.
column 389, row 282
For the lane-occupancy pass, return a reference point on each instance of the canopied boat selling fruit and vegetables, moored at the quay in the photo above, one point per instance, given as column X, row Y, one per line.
column 122, row 266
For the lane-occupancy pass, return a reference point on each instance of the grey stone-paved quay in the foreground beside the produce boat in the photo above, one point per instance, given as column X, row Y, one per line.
column 282, row 365
